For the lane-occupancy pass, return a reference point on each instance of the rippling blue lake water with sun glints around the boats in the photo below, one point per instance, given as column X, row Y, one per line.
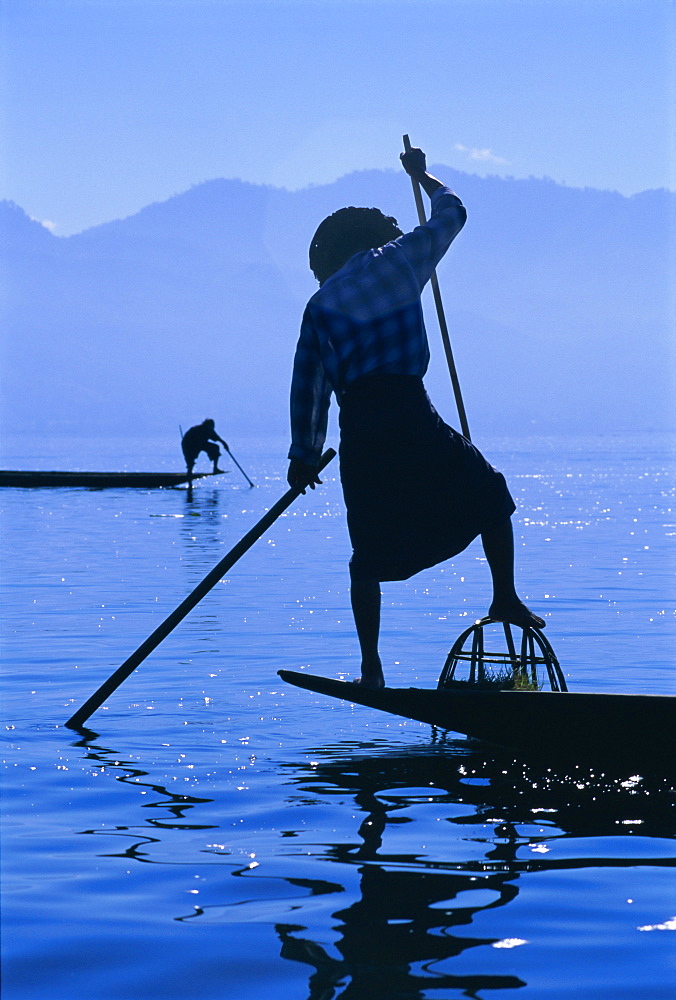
column 225, row 836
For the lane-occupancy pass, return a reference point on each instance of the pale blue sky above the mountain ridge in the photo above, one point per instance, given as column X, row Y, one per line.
column 109, row 105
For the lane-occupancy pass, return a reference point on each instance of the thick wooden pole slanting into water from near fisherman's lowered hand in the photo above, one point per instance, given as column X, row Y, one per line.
column 77, row 720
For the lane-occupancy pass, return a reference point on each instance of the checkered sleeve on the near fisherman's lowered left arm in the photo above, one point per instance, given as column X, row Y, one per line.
column 310, row 397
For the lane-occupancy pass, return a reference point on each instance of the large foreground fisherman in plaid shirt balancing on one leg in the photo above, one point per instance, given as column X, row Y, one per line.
column 417, row 492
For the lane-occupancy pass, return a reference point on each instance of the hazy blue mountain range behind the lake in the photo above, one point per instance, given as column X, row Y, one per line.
column 557, row 301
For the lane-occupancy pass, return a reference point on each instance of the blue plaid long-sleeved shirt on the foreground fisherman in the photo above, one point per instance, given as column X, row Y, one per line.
column 366, row 318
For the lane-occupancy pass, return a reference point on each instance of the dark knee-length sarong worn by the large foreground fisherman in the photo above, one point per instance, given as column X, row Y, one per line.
column 417, row 492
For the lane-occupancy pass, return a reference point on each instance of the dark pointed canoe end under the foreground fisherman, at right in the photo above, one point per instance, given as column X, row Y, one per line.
column 563, row 723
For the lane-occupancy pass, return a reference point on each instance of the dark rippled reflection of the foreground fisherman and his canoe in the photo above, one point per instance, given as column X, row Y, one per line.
column 396, row 940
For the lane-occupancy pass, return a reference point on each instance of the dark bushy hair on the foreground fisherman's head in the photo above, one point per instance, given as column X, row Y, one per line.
column 345, row 233
